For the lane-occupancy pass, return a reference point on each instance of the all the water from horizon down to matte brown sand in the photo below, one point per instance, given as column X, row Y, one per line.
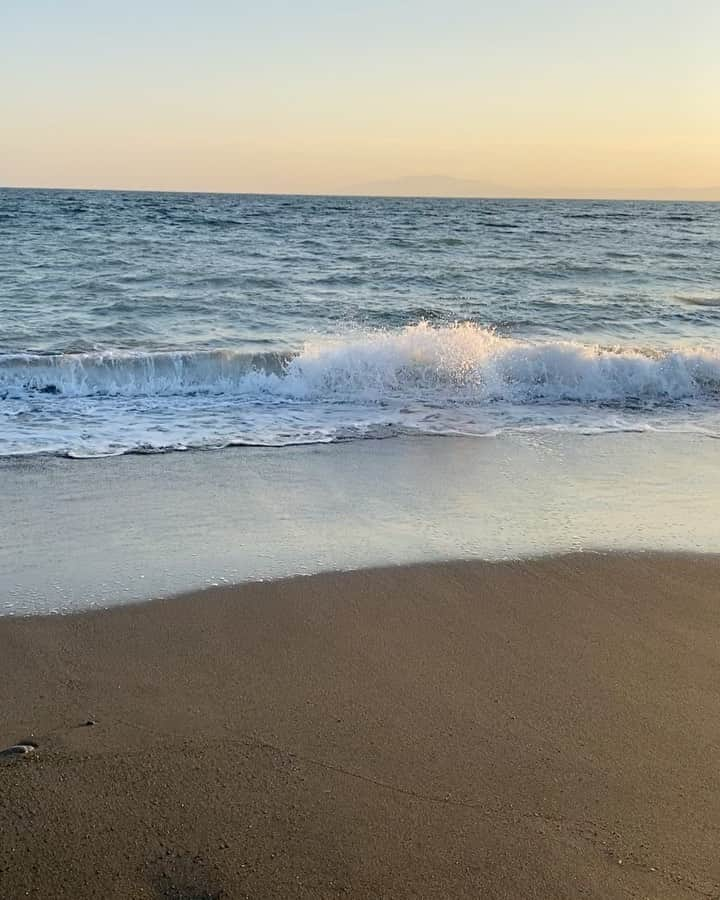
column 381, row 381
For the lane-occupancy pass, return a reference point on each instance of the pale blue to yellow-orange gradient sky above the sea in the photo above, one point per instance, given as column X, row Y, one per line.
column 582, row 98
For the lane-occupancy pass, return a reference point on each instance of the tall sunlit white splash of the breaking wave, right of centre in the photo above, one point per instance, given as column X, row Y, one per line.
column 465, row 362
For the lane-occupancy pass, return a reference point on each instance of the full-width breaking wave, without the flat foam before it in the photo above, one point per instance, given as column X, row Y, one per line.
column 462, row 363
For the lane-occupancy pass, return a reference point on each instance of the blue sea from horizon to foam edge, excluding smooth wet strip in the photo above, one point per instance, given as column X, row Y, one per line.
column 150, row 322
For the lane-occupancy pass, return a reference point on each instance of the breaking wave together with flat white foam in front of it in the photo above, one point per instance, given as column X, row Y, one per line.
column 460, row 379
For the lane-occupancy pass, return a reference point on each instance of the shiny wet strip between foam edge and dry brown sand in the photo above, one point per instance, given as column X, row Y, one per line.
column 158, row 525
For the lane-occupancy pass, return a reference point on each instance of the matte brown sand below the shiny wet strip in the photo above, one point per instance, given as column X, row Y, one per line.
column 546, row 729
